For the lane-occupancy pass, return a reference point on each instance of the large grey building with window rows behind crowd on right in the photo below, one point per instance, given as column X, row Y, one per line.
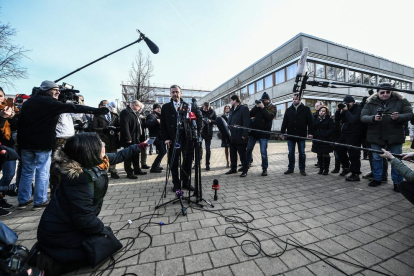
column 327, row 61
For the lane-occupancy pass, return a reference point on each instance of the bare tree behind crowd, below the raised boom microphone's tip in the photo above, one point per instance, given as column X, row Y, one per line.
column 140, row 75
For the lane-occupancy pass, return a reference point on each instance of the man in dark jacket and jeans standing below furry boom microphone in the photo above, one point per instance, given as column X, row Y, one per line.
column 297, row 121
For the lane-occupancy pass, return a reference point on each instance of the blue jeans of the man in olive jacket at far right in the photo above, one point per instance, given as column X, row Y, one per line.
column 377, row 162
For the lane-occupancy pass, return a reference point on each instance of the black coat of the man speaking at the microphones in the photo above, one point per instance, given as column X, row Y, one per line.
column 169, row 120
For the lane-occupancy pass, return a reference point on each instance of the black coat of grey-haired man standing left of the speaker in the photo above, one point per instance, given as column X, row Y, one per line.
column 130, row 127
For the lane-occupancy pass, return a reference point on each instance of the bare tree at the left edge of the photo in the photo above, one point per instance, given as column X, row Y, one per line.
column 10, row 57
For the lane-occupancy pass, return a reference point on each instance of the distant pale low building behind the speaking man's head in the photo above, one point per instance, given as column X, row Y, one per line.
column 161, row 93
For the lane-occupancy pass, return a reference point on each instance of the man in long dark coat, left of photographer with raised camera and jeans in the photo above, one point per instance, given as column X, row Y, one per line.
column 239, row 115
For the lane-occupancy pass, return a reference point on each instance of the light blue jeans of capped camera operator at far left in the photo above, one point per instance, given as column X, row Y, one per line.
column 34, row 161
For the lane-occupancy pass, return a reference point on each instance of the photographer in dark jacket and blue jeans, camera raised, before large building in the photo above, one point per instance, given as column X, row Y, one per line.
column 263, row 114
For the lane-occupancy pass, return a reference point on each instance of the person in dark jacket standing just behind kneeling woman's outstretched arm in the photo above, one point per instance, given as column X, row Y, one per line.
column 108, row 127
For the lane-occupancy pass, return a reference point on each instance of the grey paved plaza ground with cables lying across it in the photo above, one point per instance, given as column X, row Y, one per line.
column 372, row 227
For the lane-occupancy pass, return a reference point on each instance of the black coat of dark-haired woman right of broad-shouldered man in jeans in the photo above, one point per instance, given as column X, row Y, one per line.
column 323, row 130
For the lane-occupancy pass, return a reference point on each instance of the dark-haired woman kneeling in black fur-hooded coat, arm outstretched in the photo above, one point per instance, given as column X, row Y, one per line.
column 72, row 214
